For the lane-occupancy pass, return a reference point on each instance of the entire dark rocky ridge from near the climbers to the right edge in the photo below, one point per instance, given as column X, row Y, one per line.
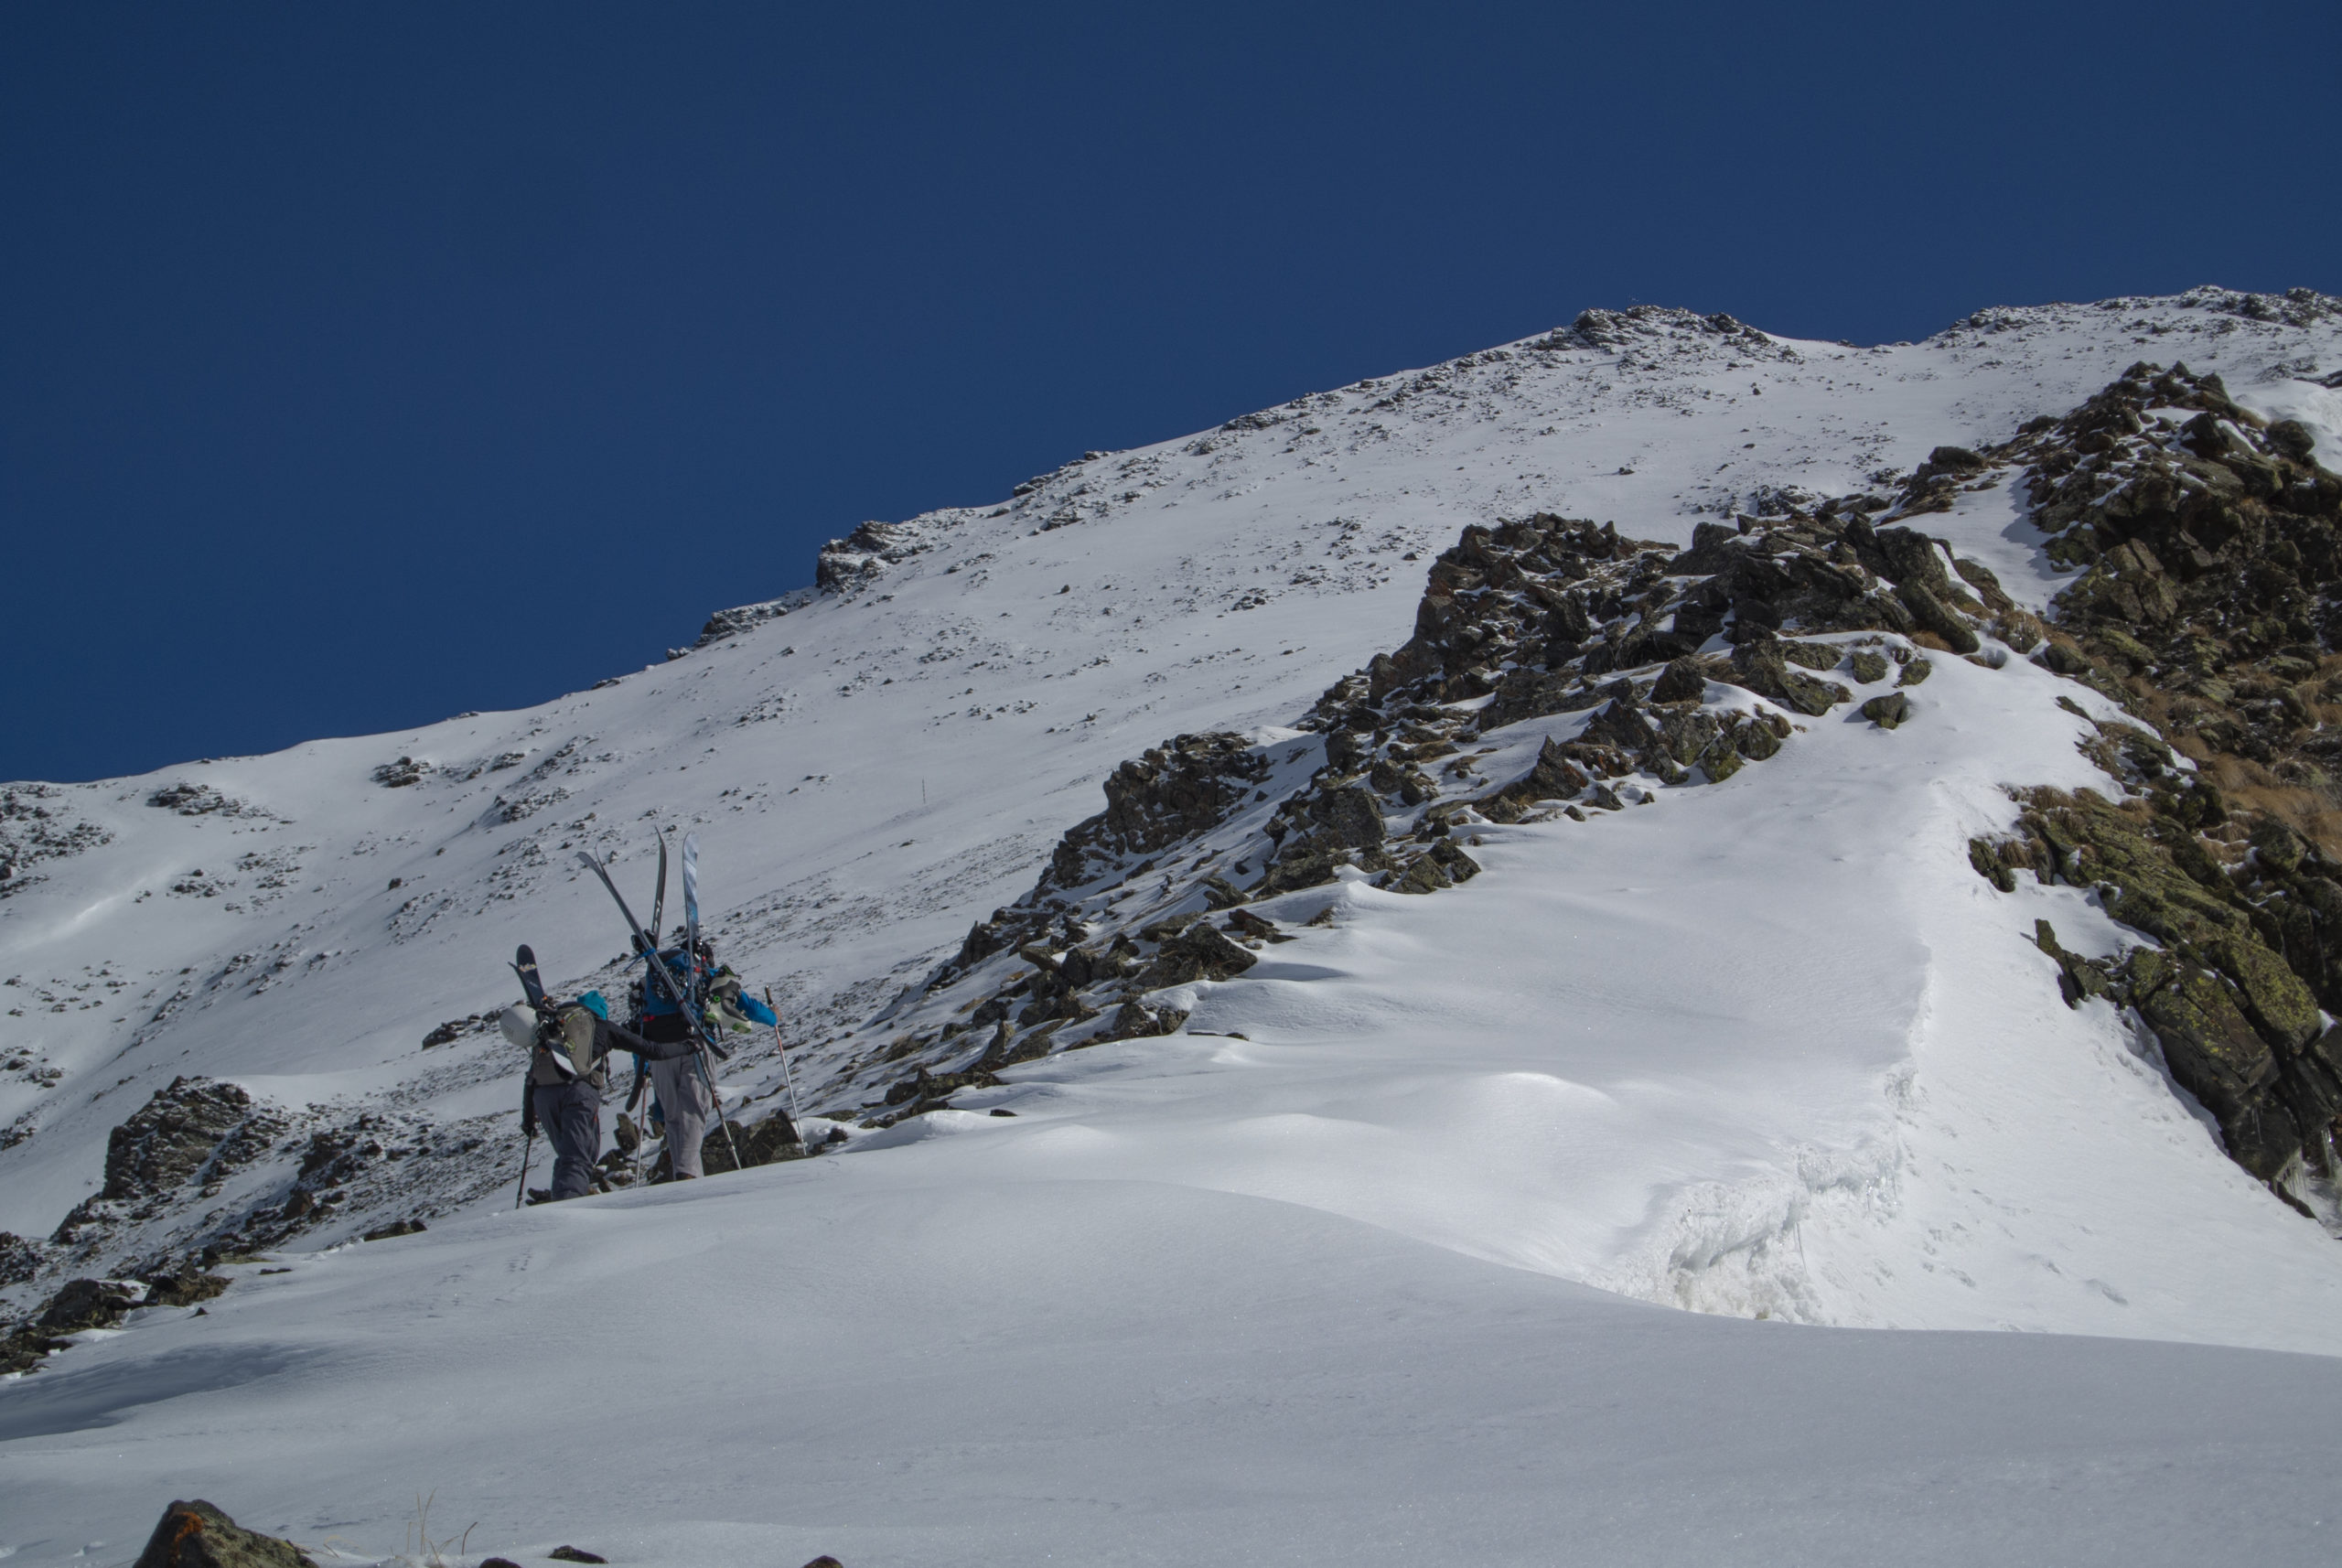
column 2207, row 544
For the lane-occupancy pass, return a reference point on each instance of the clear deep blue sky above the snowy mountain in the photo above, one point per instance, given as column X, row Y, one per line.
column 367, row 364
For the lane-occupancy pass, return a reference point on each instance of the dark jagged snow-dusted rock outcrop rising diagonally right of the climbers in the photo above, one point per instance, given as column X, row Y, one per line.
column 1641, row 668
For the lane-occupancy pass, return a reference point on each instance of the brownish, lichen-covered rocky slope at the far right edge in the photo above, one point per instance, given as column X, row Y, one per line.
column 2212, row 549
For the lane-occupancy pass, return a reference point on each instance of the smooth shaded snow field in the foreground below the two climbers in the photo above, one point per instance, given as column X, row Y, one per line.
column 898, row 1363
